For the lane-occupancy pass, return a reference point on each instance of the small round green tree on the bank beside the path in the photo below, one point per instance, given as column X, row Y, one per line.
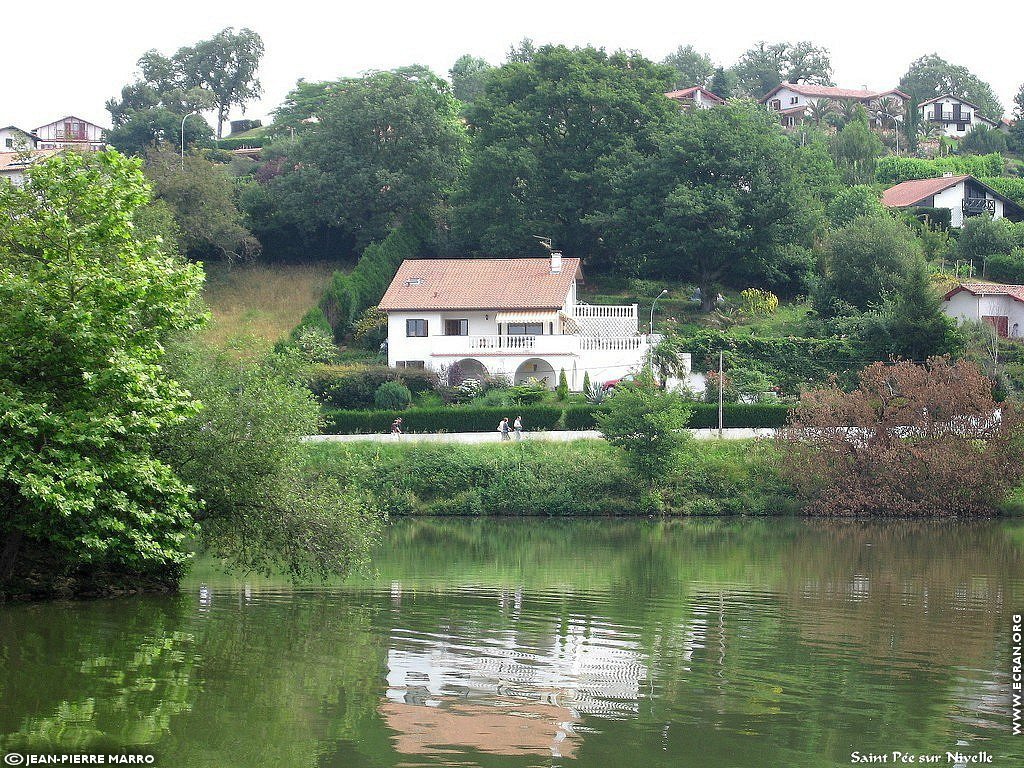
column 648, row 423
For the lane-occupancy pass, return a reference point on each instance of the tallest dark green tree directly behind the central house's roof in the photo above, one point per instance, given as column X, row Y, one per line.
column 539, row 134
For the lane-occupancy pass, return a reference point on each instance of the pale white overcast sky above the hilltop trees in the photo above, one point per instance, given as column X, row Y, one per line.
column 78, row 57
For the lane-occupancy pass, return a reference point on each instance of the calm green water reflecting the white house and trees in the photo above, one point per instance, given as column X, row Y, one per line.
column 536, row 644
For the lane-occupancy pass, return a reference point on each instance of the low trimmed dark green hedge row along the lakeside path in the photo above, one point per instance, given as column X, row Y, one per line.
column 536, row 418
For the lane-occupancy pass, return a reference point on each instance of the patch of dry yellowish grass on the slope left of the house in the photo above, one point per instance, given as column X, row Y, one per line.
column 255, row 306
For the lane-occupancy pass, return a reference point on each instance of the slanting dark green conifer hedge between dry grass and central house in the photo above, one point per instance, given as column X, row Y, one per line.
column 353, row 293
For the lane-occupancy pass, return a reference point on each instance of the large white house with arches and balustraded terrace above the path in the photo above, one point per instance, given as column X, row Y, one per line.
column 518, row 319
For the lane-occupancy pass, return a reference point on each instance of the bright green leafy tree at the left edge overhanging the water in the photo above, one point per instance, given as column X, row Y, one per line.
column 86, row 308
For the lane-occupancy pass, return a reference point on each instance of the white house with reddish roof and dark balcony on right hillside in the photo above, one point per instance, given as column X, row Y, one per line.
column 964, row 196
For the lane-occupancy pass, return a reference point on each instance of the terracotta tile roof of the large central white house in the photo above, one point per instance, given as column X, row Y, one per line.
column 481, row 284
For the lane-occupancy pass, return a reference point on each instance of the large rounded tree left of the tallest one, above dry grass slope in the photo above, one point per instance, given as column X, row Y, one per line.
column 389, row 149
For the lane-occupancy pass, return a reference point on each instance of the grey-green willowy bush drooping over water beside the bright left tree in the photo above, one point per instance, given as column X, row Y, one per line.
column 243, row 453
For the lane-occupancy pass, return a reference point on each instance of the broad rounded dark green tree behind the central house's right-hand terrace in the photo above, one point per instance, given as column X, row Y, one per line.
column 719, row 200
